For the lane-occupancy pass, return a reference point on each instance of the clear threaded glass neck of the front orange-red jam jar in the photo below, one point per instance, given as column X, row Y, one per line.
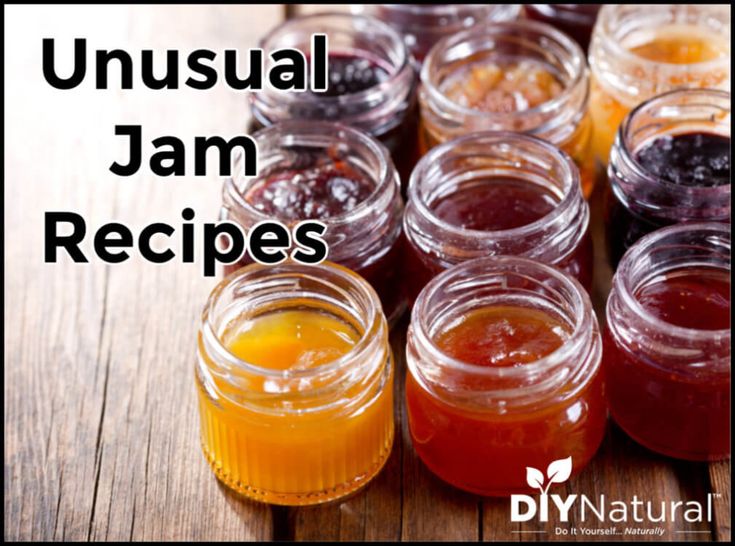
column 503, row 280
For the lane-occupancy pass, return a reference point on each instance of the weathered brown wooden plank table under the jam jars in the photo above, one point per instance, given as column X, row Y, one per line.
column 101, row 425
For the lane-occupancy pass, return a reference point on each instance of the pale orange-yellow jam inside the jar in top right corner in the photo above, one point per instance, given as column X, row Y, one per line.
column 673, row 45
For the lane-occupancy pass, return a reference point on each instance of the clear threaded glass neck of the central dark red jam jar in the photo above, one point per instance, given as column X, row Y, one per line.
column 489, row 155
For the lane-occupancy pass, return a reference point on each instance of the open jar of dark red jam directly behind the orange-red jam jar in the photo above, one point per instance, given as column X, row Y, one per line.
column 488, row 194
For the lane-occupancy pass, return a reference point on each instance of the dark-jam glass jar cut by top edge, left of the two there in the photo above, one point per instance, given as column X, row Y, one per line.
column 422, row 25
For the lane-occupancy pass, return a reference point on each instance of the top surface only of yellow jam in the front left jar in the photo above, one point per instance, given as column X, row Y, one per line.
column 292, row 339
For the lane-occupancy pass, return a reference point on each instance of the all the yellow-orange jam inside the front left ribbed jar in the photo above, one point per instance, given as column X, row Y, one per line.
column 282, row 439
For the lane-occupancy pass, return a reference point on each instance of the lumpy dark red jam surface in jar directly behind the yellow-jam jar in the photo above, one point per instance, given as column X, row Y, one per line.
column 321, row 188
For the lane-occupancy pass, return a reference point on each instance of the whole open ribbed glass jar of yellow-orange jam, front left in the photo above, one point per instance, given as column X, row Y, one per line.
column 295, row 382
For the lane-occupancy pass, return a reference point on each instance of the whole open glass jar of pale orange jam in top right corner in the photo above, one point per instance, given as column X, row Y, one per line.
column 639, row 51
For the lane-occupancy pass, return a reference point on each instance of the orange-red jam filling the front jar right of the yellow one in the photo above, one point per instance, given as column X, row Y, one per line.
column 486, row 451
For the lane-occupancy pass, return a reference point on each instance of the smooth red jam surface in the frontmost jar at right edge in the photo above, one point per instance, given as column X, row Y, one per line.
column 693, row 299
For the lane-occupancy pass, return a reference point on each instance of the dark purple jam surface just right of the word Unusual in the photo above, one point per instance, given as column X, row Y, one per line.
column 352, row 74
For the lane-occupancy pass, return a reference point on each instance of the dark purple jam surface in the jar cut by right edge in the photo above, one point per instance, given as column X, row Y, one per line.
column 695, row 159
